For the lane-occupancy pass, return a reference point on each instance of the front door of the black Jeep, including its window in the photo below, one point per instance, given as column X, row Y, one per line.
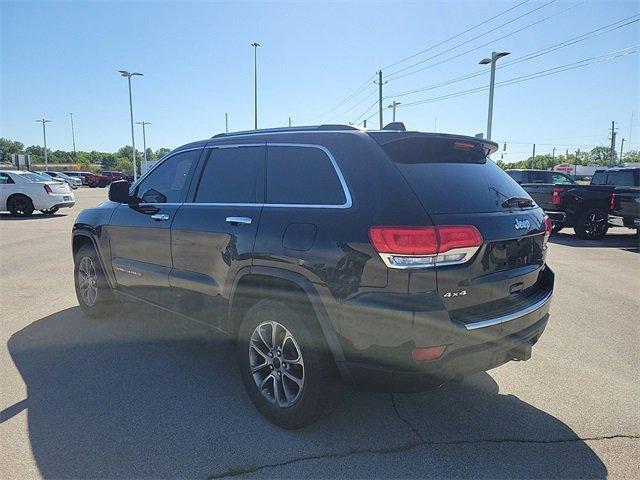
column 140, row 235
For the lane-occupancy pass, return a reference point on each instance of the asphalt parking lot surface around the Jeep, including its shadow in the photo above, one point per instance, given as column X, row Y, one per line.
column 151, row 395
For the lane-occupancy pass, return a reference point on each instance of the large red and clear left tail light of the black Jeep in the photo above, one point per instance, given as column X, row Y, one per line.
column 422, row 247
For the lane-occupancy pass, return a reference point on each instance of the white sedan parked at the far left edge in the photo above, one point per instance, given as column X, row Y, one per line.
column 23, row 192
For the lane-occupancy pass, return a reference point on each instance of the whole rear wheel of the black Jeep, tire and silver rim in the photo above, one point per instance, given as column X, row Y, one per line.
column 293, row 393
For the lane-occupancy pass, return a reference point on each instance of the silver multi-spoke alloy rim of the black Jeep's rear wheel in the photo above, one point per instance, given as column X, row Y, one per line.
column 276, row 364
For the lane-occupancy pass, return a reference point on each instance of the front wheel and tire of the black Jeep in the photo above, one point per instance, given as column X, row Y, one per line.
column 92, row 289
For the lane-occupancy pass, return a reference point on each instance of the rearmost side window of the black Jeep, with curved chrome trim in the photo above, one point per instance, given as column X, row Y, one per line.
column 302, row 176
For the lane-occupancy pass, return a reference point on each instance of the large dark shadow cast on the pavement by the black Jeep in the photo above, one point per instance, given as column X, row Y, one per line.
column 150, row 395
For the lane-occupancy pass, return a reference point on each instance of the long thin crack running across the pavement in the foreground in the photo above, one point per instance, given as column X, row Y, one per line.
column 233, row 472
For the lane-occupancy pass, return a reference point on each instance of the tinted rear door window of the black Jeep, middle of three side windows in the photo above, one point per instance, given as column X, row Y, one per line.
column 232, row 175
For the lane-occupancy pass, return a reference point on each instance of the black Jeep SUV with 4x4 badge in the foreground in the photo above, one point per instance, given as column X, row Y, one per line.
column 387, row 259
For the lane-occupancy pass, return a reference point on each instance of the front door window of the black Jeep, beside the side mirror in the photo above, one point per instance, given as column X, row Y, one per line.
column 168, row 182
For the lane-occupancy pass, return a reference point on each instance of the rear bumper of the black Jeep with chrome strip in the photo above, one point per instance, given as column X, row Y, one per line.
column 477, row 345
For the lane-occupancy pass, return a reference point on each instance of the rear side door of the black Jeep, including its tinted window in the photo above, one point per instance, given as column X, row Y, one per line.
column 213, row 233
